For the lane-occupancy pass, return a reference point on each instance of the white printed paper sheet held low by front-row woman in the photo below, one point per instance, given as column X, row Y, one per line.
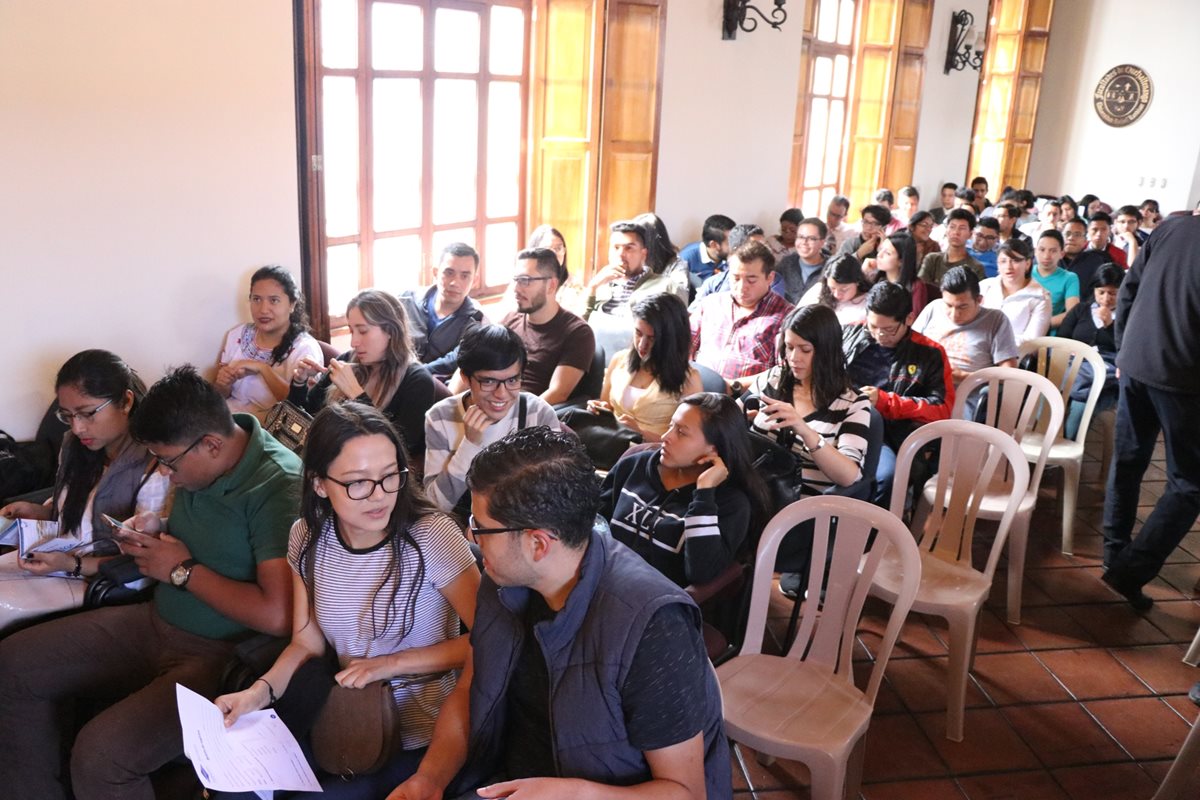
column 259, row 754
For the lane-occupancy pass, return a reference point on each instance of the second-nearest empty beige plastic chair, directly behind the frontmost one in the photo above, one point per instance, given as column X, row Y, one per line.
column 951, row 587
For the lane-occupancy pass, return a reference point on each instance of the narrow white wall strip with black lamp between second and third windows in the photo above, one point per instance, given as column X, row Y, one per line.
column 947, row 107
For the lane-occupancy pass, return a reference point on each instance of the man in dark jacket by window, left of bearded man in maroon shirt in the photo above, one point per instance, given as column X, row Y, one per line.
column 439, row 317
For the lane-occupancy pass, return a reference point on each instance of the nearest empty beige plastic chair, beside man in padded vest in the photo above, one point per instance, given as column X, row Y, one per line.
column 805, row 706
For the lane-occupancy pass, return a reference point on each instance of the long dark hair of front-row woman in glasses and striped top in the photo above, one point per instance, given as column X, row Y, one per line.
column 332, row 429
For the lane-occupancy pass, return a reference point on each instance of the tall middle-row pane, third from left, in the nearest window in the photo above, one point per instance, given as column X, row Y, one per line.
column 455, row 151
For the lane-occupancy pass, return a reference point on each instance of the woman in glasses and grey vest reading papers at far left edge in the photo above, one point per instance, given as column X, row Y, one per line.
column 101, row 472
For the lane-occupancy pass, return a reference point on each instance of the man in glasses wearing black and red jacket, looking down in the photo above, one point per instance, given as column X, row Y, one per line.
column 907, row 376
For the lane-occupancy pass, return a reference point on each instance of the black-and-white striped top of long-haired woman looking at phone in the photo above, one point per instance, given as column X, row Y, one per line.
column 844, row 425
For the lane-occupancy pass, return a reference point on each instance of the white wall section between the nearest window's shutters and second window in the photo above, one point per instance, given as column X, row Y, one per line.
column 729, row 112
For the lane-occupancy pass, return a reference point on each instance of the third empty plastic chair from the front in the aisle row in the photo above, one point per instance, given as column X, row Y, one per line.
column 1029, row 408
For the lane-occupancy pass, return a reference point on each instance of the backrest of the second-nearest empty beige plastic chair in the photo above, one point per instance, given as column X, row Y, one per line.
column 970, row 458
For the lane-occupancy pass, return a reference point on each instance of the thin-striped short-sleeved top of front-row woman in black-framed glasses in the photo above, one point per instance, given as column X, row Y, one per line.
column 345, row 596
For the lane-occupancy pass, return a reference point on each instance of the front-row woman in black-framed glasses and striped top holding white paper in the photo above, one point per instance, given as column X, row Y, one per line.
column 381, row 578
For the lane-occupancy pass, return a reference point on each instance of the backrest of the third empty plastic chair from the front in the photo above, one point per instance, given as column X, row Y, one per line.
column 1019, row 402
